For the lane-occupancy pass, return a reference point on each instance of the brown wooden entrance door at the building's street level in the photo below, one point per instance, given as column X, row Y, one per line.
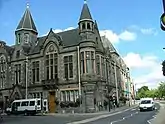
column 52, row 104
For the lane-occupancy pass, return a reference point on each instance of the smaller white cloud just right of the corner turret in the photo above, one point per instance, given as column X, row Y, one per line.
column 115, row 38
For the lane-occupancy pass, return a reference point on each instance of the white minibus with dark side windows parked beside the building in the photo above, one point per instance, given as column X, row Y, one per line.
column 25, row 106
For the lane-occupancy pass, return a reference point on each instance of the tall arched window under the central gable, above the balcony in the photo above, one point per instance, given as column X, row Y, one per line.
column 51, row 63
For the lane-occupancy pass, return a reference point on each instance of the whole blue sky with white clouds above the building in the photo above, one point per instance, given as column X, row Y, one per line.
column 133, row 27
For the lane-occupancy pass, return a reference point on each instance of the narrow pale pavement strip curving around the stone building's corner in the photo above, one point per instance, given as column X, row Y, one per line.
column 92, row 114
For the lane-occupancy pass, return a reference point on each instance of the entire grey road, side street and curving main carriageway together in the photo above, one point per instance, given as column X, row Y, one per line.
column 132, row 116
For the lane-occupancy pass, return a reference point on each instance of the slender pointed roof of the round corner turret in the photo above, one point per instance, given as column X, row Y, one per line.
column 85, row 13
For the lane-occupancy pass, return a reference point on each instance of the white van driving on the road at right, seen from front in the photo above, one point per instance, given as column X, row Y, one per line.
column 146, row 104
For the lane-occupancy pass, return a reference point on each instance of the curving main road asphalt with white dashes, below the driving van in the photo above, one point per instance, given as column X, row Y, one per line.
column 133, row 116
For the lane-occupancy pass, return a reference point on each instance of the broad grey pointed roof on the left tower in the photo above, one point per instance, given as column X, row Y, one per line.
column 27, row 22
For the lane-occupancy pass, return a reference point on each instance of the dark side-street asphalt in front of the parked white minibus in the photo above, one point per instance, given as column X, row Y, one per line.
column 42, row 119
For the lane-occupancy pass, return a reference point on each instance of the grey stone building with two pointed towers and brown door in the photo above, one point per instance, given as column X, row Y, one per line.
column 56, row 65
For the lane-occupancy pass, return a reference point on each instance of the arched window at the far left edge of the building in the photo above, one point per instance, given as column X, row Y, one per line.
column 2, row 71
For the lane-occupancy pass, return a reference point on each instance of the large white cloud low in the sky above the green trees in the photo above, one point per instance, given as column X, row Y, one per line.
column 151, row 64
